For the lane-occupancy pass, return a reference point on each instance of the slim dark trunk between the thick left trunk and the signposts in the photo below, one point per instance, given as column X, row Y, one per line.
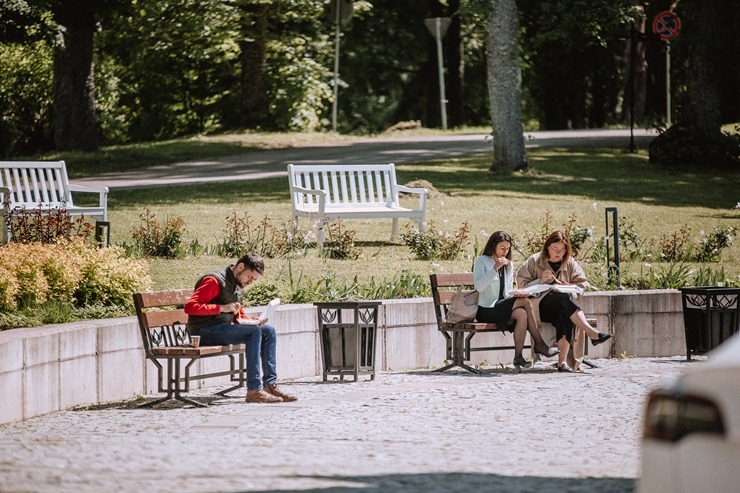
column 255, row 110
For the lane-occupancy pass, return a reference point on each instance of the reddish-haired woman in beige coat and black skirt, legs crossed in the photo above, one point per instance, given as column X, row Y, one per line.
column 555, row 265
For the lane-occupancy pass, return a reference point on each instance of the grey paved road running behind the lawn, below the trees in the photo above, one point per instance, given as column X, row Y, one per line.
column 273, row 163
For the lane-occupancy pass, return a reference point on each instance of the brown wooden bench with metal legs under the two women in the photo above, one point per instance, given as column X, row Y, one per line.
column 459, row 336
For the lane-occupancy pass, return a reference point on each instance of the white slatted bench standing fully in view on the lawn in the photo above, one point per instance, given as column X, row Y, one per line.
column 327, row 192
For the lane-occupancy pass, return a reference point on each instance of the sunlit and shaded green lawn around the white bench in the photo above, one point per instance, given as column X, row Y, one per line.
column 578, row 182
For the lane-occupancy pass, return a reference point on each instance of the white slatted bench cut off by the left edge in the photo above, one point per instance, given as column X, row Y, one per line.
column 44, row 186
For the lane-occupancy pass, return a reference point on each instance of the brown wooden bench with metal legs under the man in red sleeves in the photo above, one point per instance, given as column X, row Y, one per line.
column 162, row 322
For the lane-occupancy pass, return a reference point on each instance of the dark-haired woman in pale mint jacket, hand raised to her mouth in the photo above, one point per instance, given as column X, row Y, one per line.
column 493, row 275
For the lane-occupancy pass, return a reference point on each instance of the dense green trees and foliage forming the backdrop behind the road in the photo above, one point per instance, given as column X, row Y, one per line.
column 74, row 72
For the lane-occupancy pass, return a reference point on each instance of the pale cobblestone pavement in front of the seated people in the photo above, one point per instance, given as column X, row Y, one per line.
column 415, row 431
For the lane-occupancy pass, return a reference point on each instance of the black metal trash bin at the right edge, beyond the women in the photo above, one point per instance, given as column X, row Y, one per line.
column 711, row 315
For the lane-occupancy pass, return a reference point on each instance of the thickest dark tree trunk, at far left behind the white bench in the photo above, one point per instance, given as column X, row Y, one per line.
column 75, row 122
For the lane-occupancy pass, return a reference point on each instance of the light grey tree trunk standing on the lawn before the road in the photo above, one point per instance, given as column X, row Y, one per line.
column 504, row 86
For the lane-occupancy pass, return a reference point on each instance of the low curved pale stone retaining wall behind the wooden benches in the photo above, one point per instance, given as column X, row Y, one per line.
column 57, row 367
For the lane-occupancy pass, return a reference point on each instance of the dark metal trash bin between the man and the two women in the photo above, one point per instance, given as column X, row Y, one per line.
column 348, row 331
